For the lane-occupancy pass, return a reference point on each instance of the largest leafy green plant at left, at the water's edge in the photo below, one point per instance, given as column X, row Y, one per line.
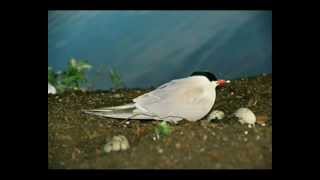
column 72, row 78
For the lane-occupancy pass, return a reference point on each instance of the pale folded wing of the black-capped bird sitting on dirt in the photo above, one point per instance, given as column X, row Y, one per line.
column 181, row 98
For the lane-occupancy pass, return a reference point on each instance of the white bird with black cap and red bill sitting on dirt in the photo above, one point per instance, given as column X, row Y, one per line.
column 189, row 98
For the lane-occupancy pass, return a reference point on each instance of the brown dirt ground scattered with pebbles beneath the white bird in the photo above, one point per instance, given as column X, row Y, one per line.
column 76, row 140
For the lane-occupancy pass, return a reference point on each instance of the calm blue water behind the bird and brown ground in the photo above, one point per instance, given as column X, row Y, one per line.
column 149, row 48
